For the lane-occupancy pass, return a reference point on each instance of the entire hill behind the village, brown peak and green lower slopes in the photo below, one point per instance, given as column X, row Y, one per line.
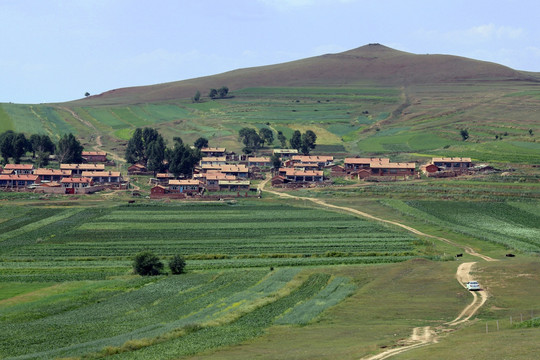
column 370, row 100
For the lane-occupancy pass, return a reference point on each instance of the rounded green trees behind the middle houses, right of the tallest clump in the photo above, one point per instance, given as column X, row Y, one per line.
column 254, row 140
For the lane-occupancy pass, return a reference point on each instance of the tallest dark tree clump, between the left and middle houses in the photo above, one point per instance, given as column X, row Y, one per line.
column 148, row 147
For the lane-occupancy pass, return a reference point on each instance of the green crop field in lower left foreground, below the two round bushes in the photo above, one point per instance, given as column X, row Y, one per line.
column 147, row 311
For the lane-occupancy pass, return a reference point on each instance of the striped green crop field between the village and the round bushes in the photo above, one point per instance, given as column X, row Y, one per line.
column 93, row 243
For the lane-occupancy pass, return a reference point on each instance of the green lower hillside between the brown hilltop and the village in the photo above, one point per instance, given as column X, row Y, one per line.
column 419, row 121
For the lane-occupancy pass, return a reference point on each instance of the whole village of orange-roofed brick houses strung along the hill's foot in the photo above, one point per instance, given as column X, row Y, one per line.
column 220, row 172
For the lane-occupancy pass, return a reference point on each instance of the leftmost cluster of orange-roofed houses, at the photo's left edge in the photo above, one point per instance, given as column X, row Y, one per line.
column 69, row 179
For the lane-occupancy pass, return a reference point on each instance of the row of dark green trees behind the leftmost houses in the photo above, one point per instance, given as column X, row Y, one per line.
column 16, row 145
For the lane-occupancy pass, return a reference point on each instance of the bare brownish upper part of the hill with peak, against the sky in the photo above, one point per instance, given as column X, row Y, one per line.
column 372, row 64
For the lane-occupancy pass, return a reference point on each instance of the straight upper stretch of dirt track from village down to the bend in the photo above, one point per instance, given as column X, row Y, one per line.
column 467, row 249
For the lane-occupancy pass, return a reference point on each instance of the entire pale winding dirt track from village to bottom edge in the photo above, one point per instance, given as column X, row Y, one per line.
column 421, row 336
